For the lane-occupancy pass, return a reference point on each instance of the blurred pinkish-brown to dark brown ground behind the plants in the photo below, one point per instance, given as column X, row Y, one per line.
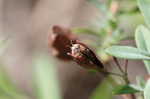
column 26, row 24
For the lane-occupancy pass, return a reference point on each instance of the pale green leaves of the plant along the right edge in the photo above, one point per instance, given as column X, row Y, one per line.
column 142, row 51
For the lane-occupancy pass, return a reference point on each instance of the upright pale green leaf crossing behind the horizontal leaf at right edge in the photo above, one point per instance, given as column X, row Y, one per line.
column 142, row 41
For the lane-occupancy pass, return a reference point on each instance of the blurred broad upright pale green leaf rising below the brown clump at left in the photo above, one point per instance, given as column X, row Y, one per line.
column 46, row 79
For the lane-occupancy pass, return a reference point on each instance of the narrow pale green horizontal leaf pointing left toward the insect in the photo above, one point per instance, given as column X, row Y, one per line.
column 127, row 52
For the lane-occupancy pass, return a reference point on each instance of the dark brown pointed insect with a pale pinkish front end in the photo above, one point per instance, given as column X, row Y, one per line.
column 84, row 56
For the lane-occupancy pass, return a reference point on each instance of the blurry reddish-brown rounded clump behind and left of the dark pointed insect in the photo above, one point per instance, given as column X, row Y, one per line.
column 58, row 41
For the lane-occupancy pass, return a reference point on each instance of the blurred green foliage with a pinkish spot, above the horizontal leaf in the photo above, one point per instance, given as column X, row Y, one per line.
column 116, row 22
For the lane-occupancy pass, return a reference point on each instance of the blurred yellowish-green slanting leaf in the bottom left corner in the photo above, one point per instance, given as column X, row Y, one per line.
column 8, row 90
